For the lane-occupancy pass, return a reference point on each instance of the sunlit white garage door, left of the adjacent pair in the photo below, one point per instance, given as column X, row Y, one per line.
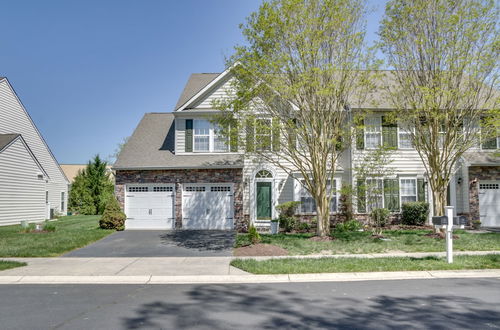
column 149, row 207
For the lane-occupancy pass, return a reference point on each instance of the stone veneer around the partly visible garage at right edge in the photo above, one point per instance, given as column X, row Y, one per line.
column 477, row 173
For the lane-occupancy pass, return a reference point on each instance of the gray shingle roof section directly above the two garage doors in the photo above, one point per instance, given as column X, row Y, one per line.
column 152, row 146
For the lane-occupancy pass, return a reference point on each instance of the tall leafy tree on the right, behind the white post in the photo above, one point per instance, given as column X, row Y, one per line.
column 446, row 58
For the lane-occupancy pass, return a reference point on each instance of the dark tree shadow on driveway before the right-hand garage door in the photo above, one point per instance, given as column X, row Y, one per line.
column 202, row 240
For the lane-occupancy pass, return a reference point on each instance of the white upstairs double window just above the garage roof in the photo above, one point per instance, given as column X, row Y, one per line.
column 207, row 137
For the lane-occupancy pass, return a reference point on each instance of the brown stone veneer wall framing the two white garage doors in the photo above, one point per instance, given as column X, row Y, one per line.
column 179, row 177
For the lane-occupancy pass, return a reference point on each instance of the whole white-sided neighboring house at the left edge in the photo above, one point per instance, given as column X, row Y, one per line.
column 32, row 185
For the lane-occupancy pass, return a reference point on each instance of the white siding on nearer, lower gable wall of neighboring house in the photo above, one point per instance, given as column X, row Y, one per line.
column 22, row 193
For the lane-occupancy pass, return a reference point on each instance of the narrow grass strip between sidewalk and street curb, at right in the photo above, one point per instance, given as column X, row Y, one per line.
column 341, row 265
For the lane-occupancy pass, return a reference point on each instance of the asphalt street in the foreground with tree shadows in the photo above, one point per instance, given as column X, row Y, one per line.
column 410, row 304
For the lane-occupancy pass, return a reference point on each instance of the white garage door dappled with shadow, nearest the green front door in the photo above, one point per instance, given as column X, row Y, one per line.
column 207, row 206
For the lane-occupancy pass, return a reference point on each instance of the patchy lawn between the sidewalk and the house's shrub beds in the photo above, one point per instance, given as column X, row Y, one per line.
column 363, row 242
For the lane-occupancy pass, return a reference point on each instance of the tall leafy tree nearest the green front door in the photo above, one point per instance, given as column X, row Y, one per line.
column 295, row 81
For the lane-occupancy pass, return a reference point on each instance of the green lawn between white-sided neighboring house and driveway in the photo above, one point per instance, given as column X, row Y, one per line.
column 71, row 232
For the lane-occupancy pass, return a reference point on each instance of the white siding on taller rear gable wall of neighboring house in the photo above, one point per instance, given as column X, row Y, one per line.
column 14, row 119
